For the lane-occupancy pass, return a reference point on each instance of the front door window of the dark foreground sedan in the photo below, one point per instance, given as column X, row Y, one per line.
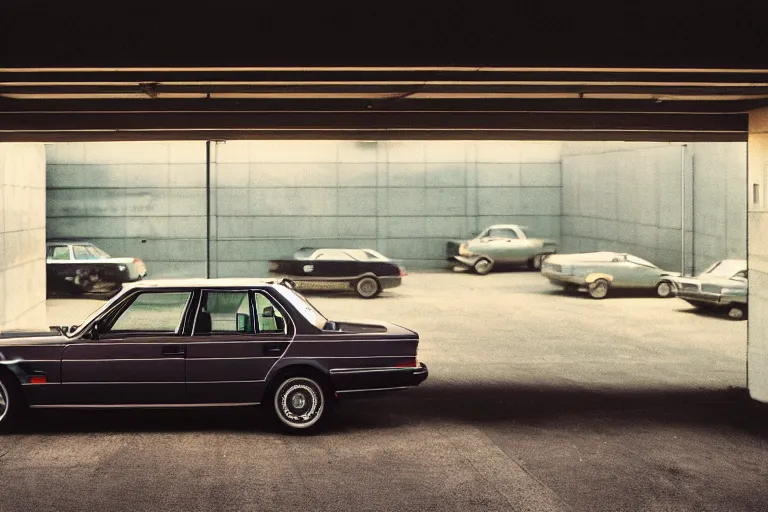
column 152, row 312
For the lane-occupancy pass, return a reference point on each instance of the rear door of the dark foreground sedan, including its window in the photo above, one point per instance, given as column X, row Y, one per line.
column 235, row 338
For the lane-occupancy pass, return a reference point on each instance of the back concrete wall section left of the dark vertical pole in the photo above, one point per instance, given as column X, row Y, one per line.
column 136, row 199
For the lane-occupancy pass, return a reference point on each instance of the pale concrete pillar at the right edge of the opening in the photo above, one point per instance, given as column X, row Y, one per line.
column 757, row 255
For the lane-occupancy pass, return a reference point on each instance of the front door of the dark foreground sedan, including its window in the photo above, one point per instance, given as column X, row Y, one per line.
column 136, row 357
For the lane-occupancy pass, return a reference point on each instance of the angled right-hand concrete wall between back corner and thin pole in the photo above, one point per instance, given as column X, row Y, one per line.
column 626, row 200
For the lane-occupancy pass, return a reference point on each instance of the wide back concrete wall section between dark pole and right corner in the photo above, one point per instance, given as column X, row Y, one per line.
column 402, row 198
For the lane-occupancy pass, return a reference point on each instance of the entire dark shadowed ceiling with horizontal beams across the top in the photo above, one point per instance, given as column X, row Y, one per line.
column 232, row 70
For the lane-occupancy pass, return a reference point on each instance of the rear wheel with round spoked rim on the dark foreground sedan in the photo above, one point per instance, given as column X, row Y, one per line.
column 300, row 403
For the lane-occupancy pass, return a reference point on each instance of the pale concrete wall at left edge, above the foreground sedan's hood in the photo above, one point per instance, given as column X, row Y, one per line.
column 22, row 237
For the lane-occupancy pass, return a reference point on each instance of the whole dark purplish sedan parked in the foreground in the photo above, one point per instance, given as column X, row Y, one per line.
column 203, row 343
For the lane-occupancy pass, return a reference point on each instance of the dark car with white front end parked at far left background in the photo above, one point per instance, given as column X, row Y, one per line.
column 74, row 267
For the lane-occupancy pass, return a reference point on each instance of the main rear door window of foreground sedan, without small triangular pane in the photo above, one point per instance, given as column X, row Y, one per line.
column 223, row 312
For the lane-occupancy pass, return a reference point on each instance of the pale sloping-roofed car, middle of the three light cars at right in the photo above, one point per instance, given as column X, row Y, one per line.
column 599, row 272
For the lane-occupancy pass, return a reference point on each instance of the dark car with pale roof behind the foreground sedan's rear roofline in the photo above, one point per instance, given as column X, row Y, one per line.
column 364, row 271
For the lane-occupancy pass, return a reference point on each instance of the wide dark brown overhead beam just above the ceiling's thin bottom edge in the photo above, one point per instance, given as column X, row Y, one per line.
column 9, row 122
